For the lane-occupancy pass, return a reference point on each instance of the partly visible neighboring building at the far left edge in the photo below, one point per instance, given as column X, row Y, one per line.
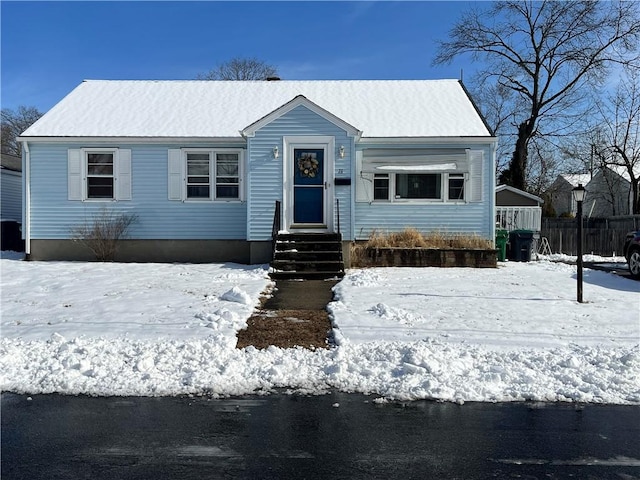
column 11, row 202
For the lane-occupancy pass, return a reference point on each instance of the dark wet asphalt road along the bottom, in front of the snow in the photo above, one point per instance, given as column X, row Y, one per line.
column 333, row 436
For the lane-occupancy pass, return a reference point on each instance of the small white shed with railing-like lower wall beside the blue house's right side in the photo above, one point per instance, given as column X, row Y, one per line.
column 517, row 209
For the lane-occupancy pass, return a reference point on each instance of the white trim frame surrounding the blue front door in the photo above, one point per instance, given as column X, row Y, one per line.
column 327, row 143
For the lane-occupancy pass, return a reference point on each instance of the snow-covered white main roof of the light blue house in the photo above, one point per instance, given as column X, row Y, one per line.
column 204, row 108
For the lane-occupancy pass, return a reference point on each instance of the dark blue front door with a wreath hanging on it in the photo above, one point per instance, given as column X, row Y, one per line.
column 308, row 186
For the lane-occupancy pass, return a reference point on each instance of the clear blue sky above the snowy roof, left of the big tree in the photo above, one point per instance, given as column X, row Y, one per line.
column 48, row 48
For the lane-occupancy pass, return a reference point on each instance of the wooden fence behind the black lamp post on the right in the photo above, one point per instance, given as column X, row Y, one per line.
column 601, row 236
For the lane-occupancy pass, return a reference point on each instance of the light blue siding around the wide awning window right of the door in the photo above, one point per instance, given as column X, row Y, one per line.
column 470, row 218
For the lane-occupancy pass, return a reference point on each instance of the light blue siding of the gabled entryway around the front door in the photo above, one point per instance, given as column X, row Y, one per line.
column 265, row 179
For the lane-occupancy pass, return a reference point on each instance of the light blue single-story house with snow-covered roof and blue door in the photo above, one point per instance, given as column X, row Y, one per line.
column 202, row 164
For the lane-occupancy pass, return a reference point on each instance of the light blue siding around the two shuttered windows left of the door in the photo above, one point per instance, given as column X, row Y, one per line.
column 53, row 215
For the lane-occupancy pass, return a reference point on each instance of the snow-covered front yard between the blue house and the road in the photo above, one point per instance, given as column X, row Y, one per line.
column 506, row 334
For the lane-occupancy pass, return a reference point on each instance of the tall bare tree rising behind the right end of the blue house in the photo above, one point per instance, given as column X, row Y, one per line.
column 547, row 53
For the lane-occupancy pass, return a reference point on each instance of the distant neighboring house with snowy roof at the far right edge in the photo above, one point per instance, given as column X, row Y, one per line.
column 609, row 193
